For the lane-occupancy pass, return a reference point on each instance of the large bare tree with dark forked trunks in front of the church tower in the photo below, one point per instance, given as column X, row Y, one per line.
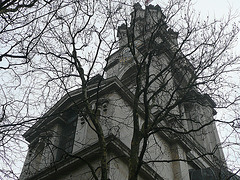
column 168, row 58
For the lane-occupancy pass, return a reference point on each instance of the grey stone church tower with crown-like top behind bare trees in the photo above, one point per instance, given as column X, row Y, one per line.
column 62, row 143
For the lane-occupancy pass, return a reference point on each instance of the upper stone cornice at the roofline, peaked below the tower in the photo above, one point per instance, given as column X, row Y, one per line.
column 107, row 86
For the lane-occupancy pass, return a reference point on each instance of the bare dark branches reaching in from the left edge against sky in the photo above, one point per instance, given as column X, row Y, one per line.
column 19, row 33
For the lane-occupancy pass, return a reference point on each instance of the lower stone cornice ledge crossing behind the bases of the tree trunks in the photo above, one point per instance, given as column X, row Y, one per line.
column 73, row 161
